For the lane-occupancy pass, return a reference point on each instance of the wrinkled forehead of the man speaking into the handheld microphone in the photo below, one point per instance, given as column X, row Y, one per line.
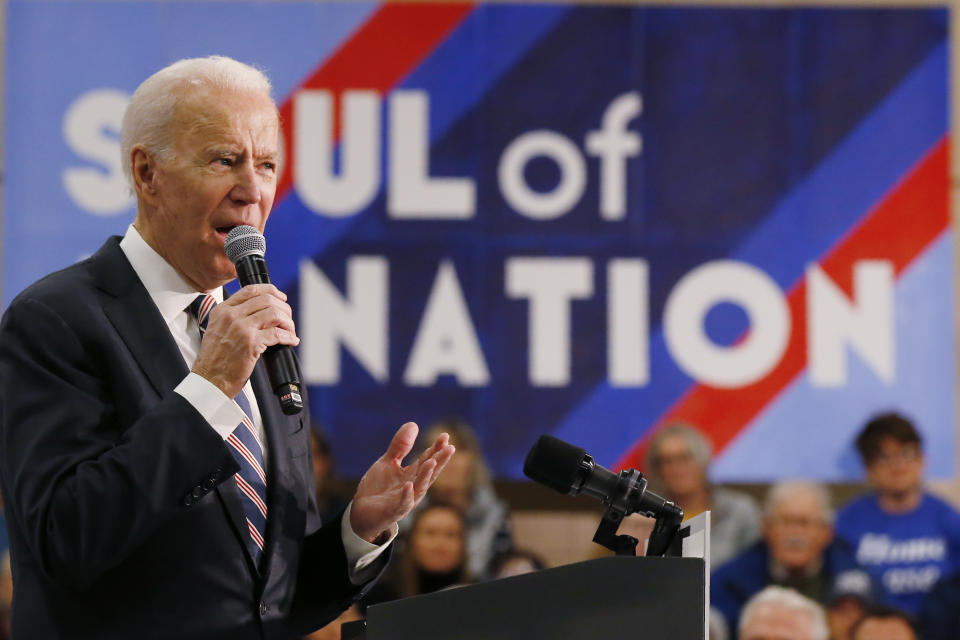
column 210, row 114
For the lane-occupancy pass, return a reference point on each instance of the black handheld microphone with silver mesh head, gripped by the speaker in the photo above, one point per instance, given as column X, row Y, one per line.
column 245, row 247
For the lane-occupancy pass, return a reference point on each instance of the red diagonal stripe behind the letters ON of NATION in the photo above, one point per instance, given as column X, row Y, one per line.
column 898, row 229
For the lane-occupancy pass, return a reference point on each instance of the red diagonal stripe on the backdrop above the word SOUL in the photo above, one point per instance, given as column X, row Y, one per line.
column 396, row 39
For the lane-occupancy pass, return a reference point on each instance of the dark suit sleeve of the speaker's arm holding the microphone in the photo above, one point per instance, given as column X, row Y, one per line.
column 85, row 489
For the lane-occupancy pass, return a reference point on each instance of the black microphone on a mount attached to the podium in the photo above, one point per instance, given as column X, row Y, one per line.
column 570, row 470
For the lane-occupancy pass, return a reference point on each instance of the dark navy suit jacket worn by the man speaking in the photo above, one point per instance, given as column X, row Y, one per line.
column 125, row 521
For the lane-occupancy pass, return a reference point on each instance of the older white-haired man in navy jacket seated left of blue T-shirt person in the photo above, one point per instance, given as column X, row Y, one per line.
column 797, row 551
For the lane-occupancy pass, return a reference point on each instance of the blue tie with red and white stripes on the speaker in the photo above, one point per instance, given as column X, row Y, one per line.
column 245, row 447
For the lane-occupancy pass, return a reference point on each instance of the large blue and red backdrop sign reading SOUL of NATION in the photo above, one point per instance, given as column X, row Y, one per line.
column 586, row 221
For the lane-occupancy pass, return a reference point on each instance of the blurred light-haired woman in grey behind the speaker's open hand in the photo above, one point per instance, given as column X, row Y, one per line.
column 466, row 485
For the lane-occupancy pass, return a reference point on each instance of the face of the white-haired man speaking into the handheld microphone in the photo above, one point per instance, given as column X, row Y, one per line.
column 223, row 173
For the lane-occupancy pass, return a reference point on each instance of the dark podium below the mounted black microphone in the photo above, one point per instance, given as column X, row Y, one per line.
column 633, row 597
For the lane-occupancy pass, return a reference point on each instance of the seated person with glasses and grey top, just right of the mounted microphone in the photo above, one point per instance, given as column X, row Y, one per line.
column 678, row 461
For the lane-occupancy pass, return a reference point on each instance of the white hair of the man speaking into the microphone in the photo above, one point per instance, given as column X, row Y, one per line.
column 152, row 107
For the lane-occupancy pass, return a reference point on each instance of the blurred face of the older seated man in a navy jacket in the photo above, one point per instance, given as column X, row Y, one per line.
column 797, row 531
